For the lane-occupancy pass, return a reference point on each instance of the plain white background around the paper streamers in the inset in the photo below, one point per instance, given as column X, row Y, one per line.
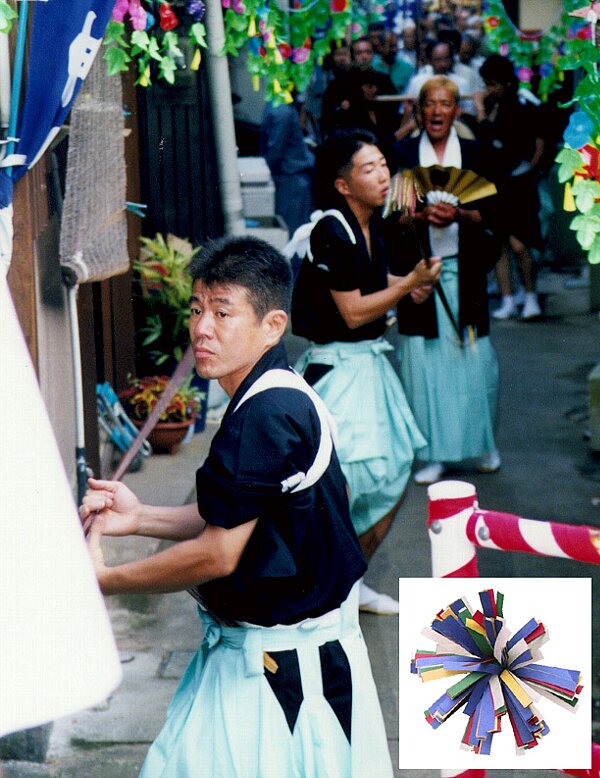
column 563, row 606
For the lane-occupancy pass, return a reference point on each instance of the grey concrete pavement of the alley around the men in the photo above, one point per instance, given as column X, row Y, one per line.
column 547, row 472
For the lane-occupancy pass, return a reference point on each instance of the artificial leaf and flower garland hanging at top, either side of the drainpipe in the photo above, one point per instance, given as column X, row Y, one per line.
column 282, row 44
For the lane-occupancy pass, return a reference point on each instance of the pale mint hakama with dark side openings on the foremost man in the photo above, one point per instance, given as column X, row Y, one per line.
column 225, row 722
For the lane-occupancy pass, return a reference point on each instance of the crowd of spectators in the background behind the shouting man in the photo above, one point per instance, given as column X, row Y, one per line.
column 373, row 83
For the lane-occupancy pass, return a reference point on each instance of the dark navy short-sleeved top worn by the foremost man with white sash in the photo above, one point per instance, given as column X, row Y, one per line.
column 303, row 556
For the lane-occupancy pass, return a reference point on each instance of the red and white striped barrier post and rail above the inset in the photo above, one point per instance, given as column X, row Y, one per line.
column 457, row 527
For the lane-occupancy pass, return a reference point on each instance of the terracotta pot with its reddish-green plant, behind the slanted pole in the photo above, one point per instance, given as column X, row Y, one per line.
column 140, row 398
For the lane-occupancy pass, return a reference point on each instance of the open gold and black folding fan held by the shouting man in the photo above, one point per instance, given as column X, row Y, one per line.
column 408, row 186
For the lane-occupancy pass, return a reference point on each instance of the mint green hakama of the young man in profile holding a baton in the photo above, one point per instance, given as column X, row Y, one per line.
column 377, row 435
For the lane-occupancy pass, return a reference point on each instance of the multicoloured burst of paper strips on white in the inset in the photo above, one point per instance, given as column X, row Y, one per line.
column 501, row 673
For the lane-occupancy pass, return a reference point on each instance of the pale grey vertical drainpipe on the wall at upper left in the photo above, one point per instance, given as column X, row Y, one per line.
column 222, row 121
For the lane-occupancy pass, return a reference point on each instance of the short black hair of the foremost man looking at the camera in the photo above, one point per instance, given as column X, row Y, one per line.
column 248, row 262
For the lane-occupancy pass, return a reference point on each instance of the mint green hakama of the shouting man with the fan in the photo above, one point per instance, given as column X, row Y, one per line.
column 451, row 387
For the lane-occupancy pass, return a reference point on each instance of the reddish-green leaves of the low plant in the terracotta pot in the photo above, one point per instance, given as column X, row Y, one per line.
column 142, row 394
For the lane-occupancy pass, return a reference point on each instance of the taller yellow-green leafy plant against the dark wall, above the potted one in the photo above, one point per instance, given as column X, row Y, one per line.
column 163, row 289
